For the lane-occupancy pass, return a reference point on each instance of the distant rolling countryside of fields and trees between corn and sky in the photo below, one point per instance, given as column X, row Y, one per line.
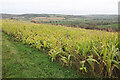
column 99, row 22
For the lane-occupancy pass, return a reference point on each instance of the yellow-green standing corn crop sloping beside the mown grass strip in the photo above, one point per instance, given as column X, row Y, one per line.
column 87, row 51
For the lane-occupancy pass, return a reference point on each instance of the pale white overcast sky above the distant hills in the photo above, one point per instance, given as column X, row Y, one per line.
column 72, row 7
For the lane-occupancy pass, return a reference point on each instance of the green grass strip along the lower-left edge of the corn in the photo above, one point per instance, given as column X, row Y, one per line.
column 21, row 61
